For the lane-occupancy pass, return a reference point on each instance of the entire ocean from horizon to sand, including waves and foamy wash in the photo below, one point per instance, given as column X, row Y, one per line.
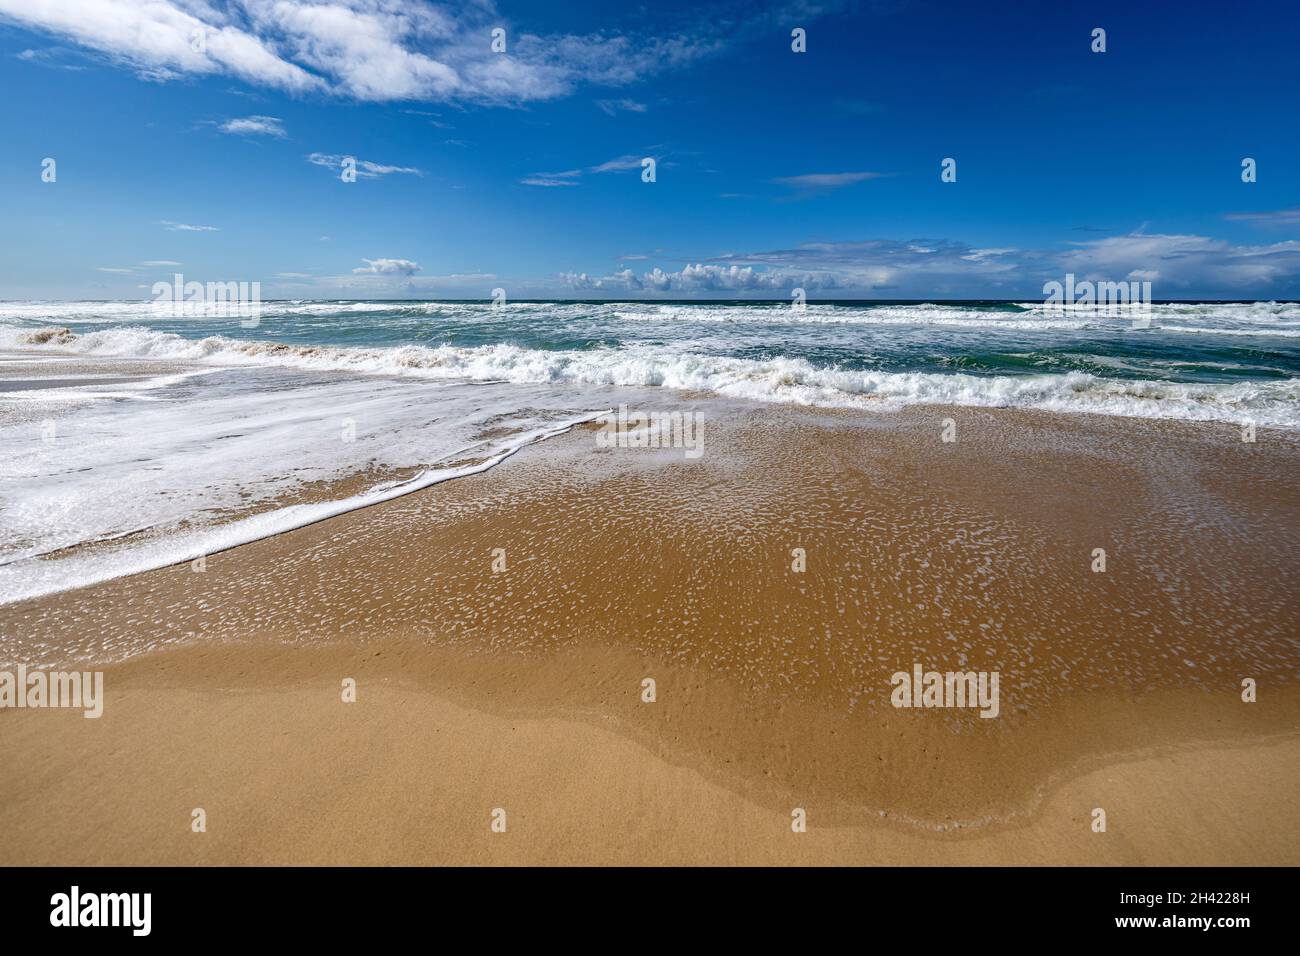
column 135, row 440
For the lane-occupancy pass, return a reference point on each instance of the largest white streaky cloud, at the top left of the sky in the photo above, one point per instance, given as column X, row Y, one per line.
column 367, row 50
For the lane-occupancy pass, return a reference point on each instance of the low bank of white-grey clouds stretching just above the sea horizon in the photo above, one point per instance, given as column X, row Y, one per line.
column 1177, row 266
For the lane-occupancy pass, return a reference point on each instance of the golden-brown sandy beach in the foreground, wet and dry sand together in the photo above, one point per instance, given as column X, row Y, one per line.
column 522, row 689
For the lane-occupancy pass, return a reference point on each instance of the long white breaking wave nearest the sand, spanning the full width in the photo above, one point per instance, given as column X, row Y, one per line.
column 781, row 379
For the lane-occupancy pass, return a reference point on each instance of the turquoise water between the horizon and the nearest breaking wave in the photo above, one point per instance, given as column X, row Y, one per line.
column 1217, row 343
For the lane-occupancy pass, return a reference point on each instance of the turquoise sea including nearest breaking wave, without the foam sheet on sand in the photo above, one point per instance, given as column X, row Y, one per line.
column 1198, row 361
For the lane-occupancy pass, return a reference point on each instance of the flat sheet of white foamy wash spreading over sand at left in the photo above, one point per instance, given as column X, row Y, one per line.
column 103, row 482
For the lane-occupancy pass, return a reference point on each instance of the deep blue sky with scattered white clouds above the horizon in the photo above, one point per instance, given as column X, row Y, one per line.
column 209, row 139
